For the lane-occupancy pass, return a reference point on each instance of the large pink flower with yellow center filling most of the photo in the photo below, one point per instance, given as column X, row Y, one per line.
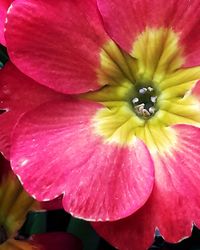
column 126, row 144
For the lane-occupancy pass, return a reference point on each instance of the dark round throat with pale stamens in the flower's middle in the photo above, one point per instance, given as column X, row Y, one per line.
column 144, row 101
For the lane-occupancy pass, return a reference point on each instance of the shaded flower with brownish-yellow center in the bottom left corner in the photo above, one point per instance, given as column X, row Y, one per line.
column 15, row 204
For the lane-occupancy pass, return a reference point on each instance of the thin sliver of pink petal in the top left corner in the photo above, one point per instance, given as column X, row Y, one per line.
column 4, row 5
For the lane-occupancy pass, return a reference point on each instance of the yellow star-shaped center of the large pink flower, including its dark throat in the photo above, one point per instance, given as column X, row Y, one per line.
column 146, row 91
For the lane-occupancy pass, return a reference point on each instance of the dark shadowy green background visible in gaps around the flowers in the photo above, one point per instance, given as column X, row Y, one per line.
column 60, row 221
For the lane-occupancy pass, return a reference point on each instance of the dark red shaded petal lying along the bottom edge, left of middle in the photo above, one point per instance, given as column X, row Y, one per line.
column 56, row 241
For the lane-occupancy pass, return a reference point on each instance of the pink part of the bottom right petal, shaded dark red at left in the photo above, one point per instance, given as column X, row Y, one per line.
column 174, row 204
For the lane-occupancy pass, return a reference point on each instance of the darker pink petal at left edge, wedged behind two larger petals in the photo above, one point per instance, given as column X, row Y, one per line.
column 18, row 94
